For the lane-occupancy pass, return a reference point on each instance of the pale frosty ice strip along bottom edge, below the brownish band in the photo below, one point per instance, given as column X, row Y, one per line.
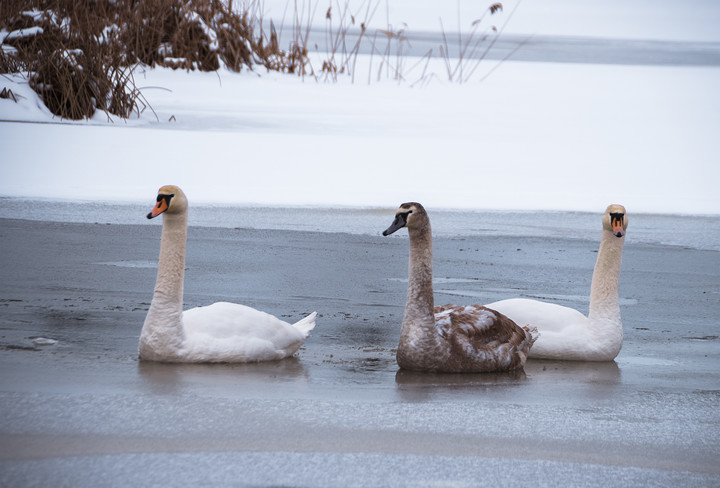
column 325, row 469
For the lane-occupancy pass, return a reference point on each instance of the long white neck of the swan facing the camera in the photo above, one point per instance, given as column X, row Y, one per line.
column 604, row 315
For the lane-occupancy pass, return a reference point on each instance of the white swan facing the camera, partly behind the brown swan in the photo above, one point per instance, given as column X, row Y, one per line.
column 567, row 334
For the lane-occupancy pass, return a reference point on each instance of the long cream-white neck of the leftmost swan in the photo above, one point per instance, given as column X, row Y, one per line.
column 163, row 330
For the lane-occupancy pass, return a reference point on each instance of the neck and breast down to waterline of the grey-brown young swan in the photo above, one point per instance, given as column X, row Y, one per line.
column 418, row 328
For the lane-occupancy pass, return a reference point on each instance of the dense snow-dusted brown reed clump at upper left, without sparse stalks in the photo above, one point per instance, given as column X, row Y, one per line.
column 80, row 55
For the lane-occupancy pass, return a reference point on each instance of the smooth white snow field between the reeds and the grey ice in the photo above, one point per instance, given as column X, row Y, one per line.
column 532, row 136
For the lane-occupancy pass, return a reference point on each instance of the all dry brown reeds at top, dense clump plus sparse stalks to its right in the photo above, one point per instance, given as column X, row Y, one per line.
column 80, row 55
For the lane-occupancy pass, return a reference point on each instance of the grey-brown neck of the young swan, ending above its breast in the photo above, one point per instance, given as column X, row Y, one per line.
column 420, row 302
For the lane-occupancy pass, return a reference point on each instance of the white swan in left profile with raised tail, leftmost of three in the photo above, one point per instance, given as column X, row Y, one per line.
column 221, row 332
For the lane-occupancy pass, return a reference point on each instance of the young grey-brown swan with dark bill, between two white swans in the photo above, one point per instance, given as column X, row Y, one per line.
column 465, row 339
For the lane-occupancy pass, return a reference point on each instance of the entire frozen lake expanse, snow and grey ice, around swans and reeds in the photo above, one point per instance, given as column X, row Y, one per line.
column 604, row 101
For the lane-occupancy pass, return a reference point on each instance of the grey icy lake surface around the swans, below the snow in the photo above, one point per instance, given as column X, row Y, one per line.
column 83, row 411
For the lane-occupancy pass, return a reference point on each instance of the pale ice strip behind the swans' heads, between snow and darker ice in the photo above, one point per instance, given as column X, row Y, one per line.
column 696, row 232
